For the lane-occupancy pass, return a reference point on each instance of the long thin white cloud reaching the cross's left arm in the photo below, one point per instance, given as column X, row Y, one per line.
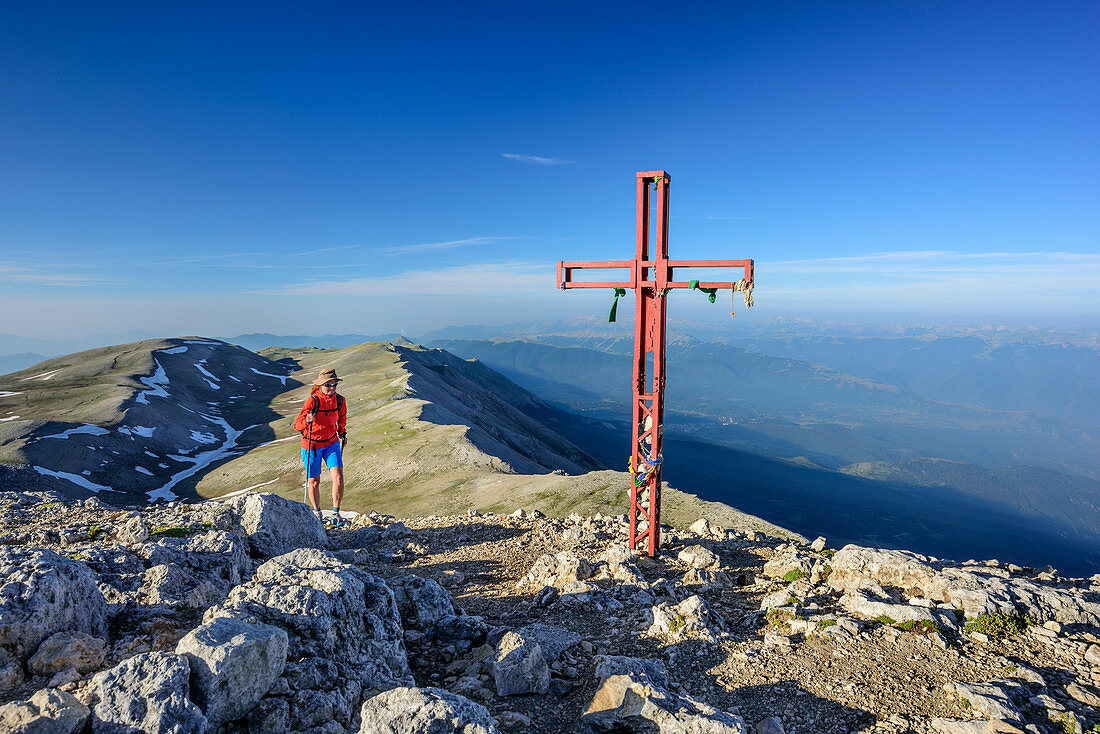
column 508, row 279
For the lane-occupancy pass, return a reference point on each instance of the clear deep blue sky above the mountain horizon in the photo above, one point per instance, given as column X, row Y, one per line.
column 225, row 168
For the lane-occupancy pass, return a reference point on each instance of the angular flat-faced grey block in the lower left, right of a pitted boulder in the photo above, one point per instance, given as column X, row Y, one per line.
column 234, row 664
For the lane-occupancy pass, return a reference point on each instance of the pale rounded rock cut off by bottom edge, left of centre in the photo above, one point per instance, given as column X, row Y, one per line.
column 424, row 711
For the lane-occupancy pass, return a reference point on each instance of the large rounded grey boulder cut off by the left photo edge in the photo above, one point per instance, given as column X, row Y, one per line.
column 43, row 593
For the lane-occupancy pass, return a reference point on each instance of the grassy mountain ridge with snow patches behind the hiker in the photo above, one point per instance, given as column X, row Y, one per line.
column 194, row 418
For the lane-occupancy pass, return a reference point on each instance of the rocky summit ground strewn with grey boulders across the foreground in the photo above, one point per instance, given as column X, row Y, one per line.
column 246, row 616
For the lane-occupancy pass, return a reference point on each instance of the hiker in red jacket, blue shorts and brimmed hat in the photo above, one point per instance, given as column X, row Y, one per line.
column 323, row 423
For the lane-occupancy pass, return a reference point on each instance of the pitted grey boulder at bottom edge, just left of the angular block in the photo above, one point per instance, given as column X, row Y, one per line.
column 147, row 694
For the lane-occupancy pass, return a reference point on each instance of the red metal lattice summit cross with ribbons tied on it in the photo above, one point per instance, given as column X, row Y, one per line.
column 652, row 278
